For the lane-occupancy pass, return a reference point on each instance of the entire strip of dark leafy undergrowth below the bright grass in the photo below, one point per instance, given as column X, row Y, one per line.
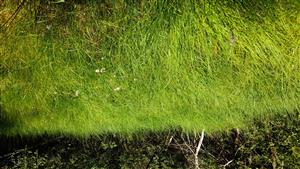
column 269, row 143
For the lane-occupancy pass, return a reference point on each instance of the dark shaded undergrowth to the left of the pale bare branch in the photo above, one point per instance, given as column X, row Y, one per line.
column 107, row 151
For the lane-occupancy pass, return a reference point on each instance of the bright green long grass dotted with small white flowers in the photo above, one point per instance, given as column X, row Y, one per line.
column 126, row 67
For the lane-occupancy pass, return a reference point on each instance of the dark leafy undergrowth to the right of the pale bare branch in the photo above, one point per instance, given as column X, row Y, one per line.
column 270, row 143
